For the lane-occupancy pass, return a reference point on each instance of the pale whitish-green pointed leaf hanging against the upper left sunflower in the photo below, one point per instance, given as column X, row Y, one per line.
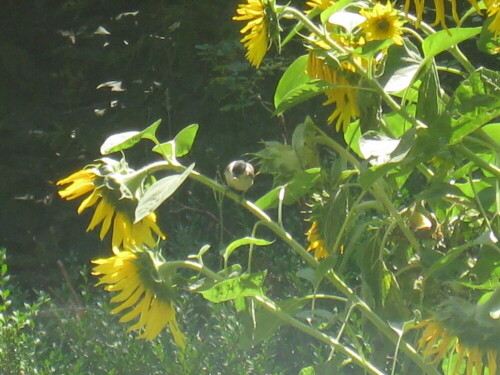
column 158, row 192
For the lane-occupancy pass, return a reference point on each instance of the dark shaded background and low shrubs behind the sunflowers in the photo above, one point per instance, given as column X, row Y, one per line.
column 72, row 73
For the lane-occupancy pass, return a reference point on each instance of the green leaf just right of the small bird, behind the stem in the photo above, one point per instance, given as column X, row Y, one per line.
column 296, row 188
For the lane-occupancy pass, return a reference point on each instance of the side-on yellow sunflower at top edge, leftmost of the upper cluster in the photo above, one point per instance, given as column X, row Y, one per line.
column 256, row 41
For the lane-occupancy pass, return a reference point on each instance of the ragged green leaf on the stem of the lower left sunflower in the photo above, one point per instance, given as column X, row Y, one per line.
column 242, row 286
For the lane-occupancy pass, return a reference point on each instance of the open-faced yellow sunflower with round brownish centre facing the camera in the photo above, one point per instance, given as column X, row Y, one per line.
column 382, row 22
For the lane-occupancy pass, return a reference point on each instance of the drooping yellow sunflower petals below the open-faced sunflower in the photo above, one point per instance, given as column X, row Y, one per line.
column 343, row 96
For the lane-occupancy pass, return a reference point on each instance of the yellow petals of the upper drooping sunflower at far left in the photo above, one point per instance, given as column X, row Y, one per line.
column 110, row 209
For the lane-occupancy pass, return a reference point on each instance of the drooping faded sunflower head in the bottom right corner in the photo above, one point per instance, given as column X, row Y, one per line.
column 459, row 330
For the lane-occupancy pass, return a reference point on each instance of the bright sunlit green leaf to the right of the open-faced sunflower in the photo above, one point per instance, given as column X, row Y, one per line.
column 440, row 41
